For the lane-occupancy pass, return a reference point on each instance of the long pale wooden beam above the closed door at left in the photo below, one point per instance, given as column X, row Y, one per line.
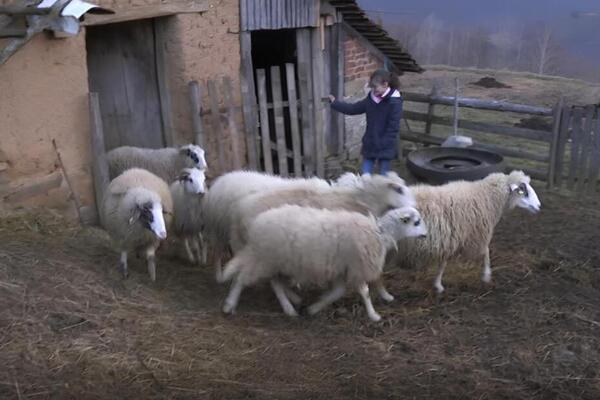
column 145, row 12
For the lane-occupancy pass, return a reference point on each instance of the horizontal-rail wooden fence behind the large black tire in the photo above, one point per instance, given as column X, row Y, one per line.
column 546, row 139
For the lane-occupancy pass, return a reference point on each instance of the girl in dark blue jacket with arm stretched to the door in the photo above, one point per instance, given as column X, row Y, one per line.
column 383, row 106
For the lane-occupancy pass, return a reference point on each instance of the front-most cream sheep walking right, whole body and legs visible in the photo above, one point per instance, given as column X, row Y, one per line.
column 318, row 247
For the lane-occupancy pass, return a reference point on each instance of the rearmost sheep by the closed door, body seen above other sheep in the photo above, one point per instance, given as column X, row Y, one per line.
column 166, row 163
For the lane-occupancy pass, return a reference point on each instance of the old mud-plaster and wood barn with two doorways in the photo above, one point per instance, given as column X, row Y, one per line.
column 223, row 73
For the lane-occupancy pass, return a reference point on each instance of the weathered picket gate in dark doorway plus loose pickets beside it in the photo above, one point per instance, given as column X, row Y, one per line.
column 284, row 139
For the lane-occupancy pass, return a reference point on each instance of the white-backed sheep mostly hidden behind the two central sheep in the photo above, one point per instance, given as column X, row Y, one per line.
column 226, row 190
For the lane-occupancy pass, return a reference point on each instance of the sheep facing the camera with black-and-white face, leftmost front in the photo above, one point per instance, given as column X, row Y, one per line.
column 137, row 209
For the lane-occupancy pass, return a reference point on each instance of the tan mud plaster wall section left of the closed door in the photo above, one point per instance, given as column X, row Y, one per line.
column 43, row 96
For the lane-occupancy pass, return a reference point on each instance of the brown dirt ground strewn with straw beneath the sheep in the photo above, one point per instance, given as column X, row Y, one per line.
column 71, row 328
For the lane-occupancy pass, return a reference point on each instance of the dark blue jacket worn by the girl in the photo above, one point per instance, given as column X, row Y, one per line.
column 383, row 124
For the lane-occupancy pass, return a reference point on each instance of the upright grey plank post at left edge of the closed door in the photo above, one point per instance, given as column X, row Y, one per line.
column 99, row 162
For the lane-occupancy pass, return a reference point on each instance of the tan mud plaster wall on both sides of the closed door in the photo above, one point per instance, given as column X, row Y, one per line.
column 43, row 96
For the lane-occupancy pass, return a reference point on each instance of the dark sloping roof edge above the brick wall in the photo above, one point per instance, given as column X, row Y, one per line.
column 376, row 35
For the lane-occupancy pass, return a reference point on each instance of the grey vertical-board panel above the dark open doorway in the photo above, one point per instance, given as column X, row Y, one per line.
column 278, row 14
